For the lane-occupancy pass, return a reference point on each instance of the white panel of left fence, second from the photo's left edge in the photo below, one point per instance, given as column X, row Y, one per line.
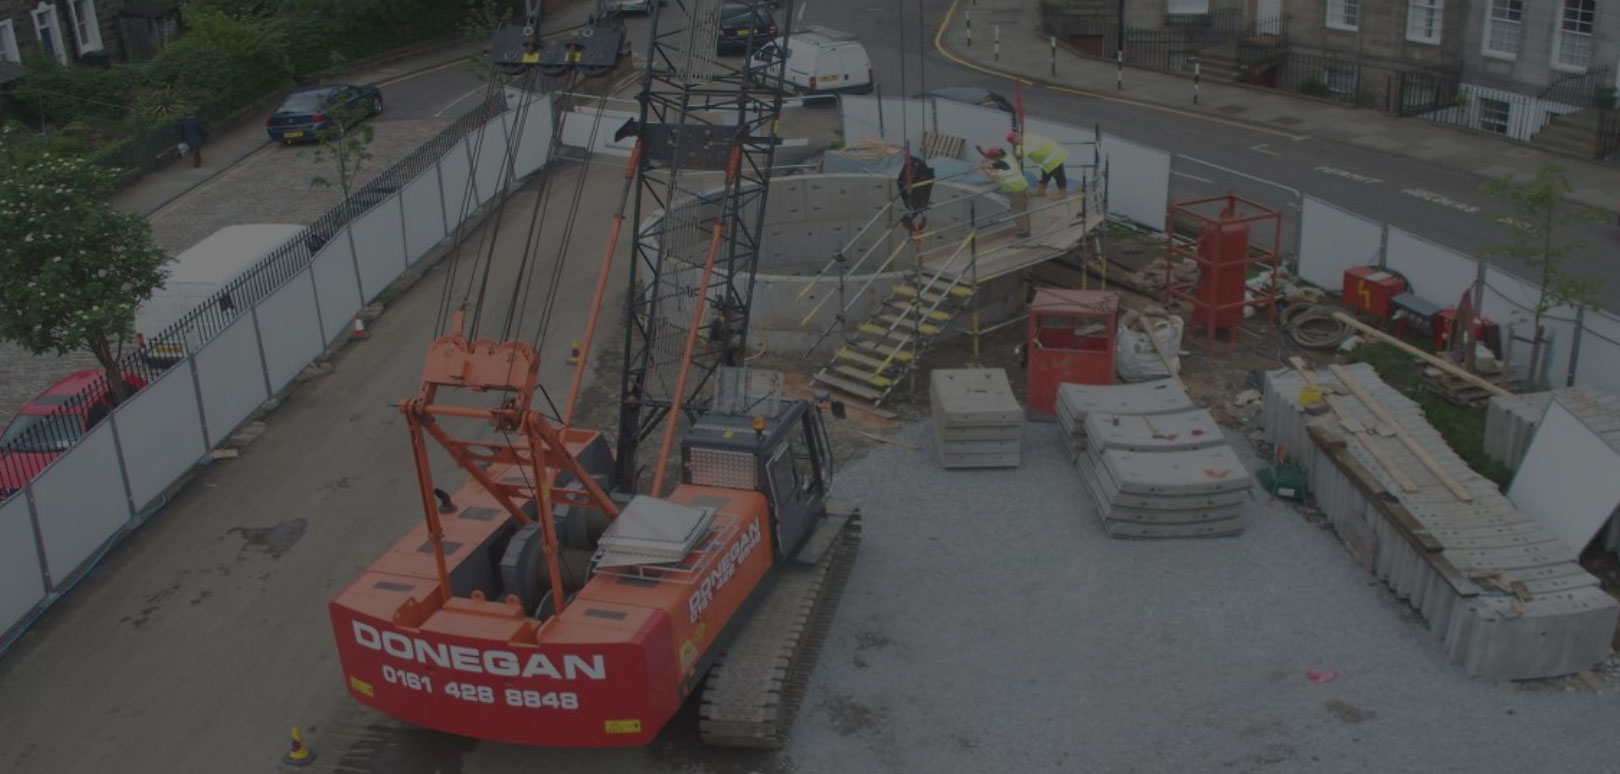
column 80, row 503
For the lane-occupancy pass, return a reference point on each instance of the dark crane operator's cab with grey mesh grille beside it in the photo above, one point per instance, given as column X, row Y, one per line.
column 778, row 451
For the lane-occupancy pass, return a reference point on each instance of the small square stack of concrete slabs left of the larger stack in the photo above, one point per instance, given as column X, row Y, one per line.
column 978, row 422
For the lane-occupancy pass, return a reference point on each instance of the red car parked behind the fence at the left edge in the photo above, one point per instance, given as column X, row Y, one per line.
column 53, row 423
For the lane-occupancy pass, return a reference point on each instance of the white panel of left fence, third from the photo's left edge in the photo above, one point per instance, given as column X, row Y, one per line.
column 161, row 430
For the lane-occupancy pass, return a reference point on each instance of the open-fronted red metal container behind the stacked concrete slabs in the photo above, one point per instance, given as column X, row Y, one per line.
column 1072, row 339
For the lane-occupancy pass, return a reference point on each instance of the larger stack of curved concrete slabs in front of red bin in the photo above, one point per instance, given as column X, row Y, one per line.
column 1154, row 466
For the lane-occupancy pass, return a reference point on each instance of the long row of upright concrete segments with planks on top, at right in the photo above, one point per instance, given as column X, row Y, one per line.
column 1504, row 595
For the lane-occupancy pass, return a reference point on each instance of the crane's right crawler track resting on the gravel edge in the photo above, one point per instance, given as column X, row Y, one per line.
column 754, row 691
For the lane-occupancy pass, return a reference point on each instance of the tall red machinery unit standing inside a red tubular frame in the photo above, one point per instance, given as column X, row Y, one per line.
column 1232, row 234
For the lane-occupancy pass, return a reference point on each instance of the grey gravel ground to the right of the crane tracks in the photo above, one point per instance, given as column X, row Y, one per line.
column 991, row 626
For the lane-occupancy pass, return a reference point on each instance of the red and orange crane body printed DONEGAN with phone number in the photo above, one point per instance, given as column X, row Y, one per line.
column 610, row 671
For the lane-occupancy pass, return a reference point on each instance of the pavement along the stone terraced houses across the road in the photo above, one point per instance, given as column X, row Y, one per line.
column 1026, row 54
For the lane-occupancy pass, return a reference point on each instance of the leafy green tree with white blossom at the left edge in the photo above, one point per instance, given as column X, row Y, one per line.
column 77, row 270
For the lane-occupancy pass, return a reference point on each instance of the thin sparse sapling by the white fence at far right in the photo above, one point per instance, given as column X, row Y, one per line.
column 1537, row 213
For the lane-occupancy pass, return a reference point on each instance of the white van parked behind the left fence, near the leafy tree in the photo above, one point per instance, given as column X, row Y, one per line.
column 200, row 274
